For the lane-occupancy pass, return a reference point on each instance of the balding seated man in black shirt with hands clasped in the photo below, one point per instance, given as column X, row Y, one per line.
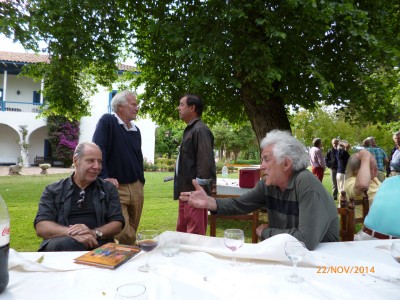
column 82, row 211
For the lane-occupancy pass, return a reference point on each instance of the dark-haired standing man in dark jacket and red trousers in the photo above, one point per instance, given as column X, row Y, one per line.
column 195, row 160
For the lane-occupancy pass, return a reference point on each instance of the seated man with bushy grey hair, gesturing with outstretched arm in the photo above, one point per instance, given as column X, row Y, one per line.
column 297, row 202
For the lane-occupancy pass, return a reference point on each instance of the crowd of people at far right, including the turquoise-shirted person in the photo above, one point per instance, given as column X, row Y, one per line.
column 367, row 171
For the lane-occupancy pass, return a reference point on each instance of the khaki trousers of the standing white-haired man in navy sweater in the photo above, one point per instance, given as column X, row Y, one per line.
column 131, row 198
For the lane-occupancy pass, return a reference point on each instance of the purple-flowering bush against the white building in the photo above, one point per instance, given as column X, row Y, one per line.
column 63, row 138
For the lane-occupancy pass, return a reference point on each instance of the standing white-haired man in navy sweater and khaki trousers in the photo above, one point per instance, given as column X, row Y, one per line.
column 121, row 144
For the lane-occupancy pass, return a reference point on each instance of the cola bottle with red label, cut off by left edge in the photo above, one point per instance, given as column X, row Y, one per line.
column 4, row 244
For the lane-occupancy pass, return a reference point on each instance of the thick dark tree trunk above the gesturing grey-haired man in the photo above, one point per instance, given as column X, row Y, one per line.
column 266, row 115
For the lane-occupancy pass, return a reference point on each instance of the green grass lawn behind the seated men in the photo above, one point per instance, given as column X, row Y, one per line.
column 22, row 194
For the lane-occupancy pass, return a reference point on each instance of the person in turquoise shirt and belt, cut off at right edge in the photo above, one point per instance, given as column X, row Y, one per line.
column 382, row 221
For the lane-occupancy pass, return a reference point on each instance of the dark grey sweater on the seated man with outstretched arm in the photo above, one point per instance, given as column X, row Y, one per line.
column 304, row 209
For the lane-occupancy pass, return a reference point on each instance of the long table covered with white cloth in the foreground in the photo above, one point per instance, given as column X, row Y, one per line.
column 202, row 271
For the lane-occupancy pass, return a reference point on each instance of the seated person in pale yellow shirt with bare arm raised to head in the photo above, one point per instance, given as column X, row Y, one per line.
column 361, row 175
